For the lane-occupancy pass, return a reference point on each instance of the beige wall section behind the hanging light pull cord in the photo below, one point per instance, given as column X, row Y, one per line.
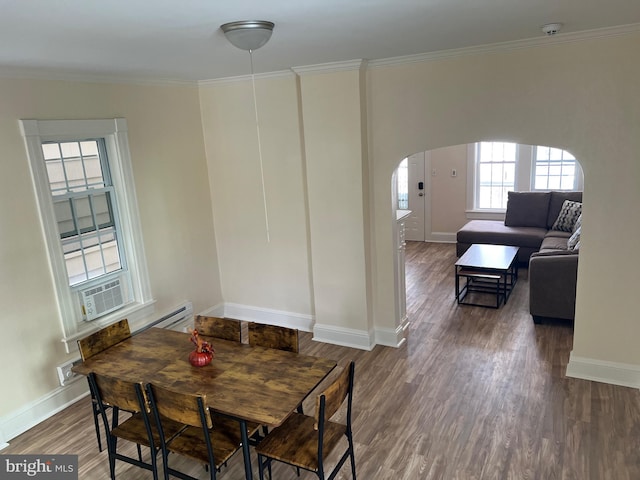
column 272, row 275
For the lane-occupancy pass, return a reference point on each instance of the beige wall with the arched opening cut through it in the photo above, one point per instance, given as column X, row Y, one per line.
column 589, row 105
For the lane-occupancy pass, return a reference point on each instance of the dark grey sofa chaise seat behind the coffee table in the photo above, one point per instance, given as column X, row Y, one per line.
column 497, row 233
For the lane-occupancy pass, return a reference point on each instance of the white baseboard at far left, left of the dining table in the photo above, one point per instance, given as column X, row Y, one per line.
column 39, row 410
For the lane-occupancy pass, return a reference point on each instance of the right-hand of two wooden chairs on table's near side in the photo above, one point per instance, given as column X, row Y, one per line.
column 210, row 440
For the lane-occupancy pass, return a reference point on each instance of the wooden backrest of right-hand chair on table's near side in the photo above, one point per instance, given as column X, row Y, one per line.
column 181, row 407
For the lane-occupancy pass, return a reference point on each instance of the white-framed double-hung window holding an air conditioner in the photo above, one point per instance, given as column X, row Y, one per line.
column 83, row 181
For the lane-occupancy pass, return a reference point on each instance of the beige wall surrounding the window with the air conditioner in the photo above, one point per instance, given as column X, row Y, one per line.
column 167, row 152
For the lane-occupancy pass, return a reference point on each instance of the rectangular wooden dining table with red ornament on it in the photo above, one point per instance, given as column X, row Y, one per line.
column 248, row 383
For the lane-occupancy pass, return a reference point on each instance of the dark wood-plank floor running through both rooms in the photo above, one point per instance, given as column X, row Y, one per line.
column 474, row 393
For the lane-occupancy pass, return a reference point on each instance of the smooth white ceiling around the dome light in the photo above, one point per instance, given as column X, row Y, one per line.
column 165, row 40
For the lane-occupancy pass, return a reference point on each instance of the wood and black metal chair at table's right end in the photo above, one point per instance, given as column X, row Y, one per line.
column 305, row 442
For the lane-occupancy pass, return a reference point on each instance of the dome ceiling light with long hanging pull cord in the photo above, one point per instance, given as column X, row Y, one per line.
column 250, row 35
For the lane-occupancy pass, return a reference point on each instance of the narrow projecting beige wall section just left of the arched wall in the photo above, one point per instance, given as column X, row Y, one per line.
column 336, row 164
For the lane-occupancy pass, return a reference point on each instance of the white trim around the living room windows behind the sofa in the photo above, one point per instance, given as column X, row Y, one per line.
column 524, row 180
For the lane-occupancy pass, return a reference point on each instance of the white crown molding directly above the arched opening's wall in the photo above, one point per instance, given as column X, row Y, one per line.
column 512, row 45
